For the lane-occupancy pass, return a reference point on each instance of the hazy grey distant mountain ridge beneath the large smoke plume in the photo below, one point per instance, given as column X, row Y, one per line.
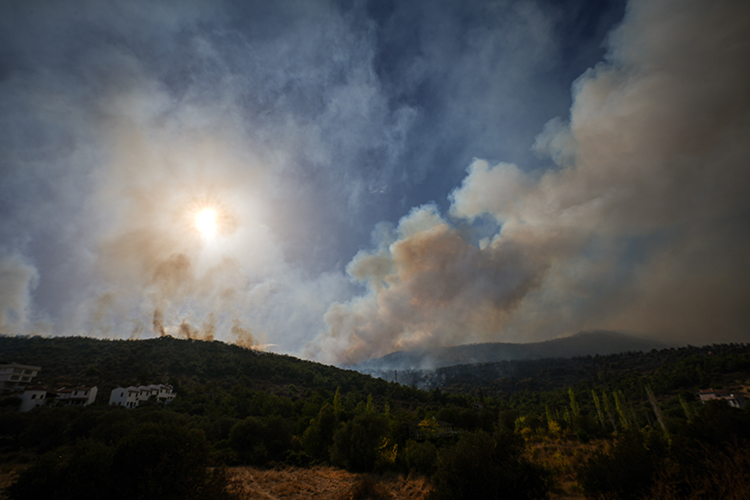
column 586, row 343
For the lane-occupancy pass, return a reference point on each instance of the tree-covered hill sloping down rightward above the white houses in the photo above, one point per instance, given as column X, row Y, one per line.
column 67, row 361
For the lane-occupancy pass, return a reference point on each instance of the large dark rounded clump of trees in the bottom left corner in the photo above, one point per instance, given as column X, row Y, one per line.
column 153, row 461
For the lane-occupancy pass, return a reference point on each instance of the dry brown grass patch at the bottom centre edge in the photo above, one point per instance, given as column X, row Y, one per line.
column 322, row 483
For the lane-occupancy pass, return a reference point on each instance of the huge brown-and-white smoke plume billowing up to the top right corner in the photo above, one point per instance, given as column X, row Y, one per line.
column 642, row 225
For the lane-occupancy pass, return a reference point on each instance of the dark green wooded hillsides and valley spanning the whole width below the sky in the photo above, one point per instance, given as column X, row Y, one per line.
column 237, row 406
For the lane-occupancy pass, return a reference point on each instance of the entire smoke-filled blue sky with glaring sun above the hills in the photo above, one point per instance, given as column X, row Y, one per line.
column 379, row 175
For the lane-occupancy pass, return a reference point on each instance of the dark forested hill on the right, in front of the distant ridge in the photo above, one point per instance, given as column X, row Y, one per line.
column 665, row 370
